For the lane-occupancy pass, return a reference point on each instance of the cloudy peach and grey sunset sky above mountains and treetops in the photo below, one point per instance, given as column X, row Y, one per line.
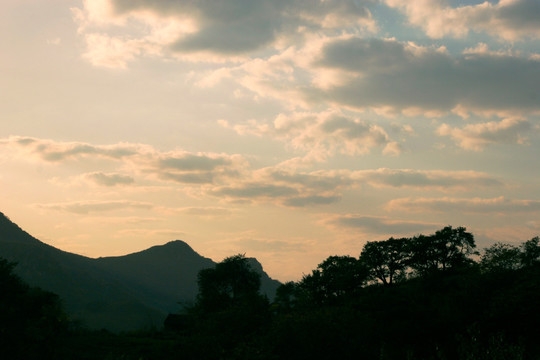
column 287, row 130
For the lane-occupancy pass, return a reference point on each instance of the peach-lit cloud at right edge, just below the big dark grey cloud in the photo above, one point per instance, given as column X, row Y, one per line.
column 477, row 136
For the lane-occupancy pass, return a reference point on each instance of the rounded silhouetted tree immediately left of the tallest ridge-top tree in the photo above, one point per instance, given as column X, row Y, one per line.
column 385, row 260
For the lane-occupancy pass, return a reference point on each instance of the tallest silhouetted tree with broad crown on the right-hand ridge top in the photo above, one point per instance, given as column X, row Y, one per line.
column 447, row 248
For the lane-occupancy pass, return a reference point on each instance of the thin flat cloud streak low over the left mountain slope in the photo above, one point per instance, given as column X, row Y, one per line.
column 85, row 207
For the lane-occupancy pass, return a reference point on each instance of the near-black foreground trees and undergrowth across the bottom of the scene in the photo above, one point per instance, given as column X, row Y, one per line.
column 426, row 297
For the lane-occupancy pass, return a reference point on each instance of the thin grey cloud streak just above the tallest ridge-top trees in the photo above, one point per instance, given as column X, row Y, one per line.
column 379, row 225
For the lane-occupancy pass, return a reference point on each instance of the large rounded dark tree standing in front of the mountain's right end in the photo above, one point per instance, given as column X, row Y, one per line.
column 229, row 310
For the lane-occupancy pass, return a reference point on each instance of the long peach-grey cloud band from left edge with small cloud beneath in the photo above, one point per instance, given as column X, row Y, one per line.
column 175, row 166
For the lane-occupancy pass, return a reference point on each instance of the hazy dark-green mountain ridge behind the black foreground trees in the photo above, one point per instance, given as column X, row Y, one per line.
column 118, row 293
